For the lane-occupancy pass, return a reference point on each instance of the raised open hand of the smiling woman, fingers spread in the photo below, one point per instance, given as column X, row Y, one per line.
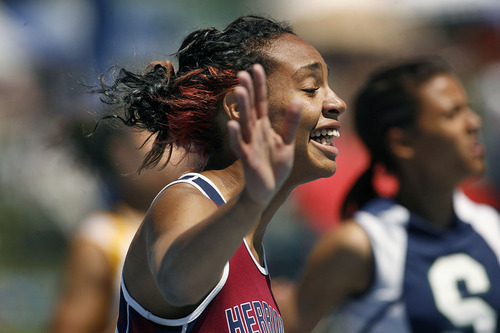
column 267, row 156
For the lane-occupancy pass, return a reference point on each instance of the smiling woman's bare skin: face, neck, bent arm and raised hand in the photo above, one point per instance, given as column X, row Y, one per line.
column 179, row 253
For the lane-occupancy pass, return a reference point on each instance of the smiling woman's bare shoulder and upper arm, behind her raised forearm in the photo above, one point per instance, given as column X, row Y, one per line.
column 177, row 209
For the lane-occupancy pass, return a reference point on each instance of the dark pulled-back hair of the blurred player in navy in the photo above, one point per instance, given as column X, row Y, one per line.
column 388, row 99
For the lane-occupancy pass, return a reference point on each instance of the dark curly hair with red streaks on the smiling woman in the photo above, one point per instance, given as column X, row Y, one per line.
column 181, row 108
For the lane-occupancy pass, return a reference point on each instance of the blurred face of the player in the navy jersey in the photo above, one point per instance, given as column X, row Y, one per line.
column 447, row 135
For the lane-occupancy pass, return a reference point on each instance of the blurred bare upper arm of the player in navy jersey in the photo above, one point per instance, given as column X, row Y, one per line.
column 339, row 267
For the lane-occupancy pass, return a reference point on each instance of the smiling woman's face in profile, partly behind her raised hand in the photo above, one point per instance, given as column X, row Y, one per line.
column 302, row 73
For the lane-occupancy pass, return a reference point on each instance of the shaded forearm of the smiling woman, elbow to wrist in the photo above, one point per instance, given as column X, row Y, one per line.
column 193, row 263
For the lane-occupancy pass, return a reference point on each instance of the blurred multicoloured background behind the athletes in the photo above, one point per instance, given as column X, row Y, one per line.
column 51, row 48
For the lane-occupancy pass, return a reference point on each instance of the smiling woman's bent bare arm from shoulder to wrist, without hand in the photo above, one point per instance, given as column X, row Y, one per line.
column 184, row 244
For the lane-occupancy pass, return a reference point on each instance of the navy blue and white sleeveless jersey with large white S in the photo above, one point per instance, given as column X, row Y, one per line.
column 426, row 279
